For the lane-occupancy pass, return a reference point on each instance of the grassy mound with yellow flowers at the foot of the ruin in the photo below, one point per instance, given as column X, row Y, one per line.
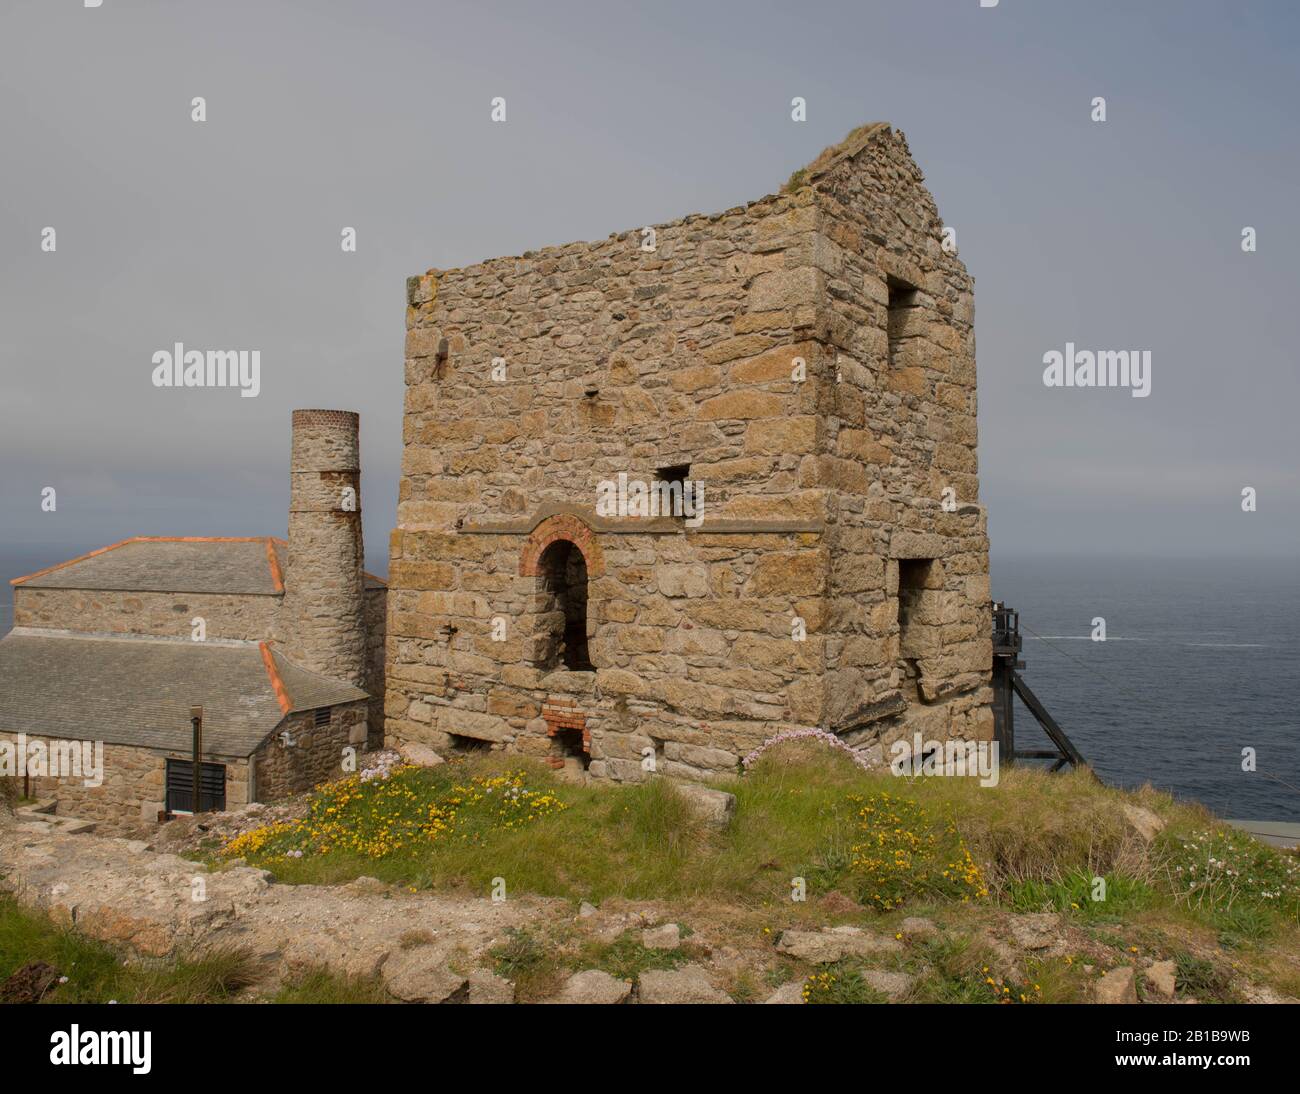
column 1034, row 843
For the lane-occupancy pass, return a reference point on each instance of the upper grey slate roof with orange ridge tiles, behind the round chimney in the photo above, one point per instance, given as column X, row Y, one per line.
column 250, row 566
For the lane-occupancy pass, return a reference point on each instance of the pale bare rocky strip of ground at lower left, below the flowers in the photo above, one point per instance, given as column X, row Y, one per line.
column 155, row 905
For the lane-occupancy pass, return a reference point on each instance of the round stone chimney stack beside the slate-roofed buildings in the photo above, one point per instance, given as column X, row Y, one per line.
column 322, row 623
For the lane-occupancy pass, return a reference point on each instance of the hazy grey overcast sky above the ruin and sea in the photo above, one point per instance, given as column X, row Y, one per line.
column 323, row 115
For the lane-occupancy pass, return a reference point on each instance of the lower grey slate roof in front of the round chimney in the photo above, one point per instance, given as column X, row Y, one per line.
column 140, row 691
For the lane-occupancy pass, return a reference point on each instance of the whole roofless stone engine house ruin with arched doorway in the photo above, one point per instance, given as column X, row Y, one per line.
column 807, row 364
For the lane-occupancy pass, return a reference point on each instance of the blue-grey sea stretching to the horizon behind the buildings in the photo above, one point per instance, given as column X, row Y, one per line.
column 1198, row 679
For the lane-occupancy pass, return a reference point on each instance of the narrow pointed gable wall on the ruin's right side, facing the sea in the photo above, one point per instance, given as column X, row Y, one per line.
column 908, row 416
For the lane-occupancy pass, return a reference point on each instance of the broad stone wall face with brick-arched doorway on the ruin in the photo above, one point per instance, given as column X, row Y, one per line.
column 691, row 350
